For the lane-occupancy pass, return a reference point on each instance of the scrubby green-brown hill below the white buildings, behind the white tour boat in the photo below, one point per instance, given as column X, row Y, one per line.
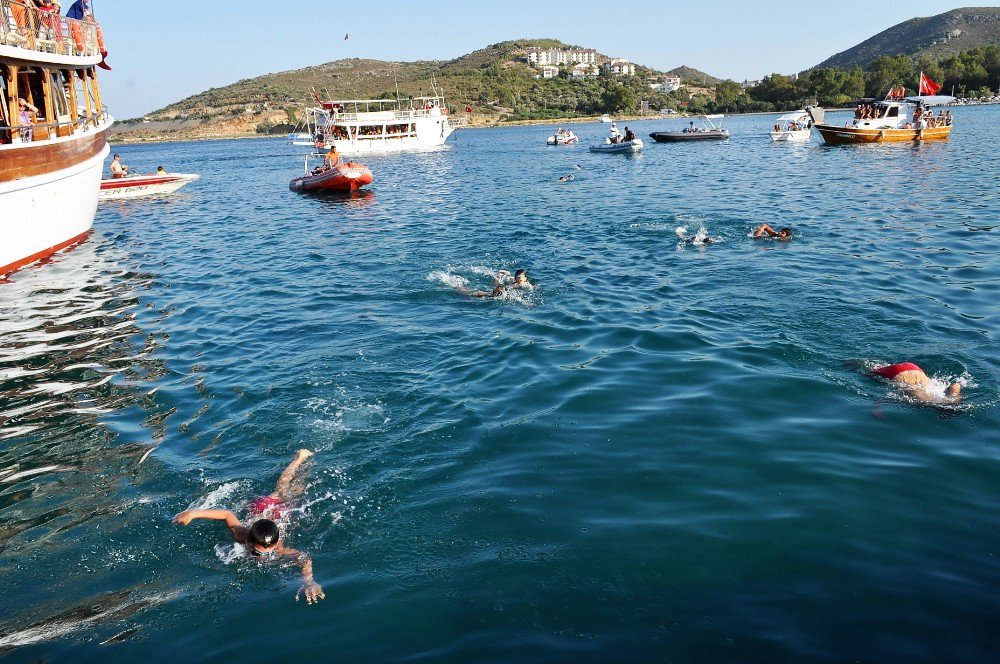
column 496, row 81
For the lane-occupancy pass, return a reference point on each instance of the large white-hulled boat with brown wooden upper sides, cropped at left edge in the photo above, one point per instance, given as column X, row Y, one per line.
column 53, row 132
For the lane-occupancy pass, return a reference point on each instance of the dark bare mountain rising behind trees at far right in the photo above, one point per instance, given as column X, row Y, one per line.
column 935, row 36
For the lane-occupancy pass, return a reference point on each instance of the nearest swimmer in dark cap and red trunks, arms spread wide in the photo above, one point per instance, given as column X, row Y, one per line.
column 262, row 538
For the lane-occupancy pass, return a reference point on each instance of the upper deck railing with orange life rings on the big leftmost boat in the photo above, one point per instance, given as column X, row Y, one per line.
column 23, row 25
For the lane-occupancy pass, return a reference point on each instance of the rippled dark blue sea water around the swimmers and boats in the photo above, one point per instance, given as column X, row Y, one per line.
column 663, row 453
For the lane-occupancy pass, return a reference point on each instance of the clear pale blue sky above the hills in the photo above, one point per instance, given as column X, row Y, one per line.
column 165, row 50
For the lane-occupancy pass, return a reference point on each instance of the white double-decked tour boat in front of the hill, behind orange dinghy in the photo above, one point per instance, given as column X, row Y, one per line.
column 366, row 126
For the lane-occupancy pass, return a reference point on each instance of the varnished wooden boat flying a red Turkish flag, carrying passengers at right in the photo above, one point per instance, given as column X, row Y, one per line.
column 895, row 119
